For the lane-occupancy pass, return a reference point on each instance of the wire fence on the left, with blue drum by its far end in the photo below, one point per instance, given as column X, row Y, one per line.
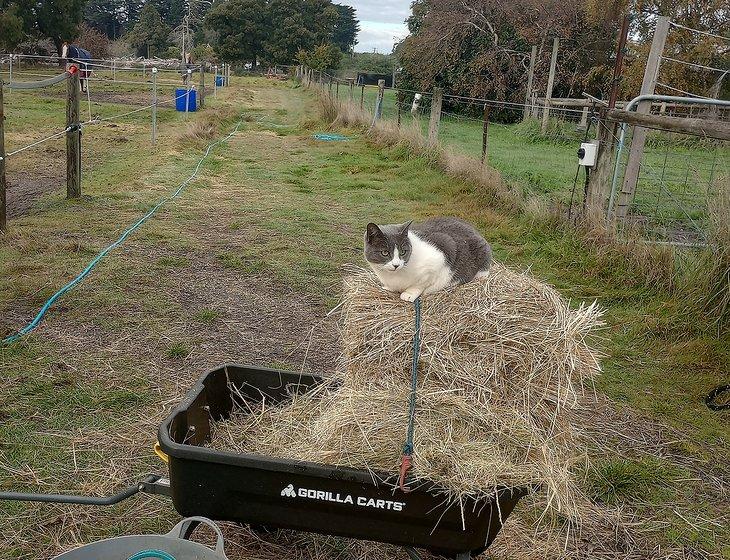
column 36, row 126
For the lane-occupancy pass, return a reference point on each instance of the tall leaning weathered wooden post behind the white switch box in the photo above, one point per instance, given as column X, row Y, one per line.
column 651, row 73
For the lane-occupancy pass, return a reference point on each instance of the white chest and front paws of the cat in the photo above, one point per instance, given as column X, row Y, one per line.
column 426, row 271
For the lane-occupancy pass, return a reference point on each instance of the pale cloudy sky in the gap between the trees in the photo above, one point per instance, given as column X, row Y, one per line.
column 380, row 22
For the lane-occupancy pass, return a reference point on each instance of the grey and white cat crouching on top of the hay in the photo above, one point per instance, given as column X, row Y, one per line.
column 414, row 259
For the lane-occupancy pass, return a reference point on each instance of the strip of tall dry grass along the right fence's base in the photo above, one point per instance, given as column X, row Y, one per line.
column 701, row 279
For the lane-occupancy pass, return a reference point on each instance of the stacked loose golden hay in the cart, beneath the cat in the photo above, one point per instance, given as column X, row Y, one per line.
column 503, row 361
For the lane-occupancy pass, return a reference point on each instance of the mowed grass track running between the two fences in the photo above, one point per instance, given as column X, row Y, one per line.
column 242, row 268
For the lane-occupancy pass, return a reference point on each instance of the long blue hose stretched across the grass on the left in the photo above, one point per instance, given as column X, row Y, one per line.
column 95, row 261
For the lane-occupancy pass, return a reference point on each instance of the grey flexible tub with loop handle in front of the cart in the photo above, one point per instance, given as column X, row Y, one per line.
column 172, row 546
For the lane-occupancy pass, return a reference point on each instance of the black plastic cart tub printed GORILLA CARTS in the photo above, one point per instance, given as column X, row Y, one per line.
column 282, row 493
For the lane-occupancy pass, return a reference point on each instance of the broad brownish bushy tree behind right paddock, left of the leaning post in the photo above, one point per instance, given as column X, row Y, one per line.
column 481, row 48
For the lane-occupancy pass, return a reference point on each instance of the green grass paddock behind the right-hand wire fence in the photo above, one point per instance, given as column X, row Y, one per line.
column 678, row 176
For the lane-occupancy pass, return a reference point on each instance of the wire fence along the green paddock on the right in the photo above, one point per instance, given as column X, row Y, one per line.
column 679, row 179
